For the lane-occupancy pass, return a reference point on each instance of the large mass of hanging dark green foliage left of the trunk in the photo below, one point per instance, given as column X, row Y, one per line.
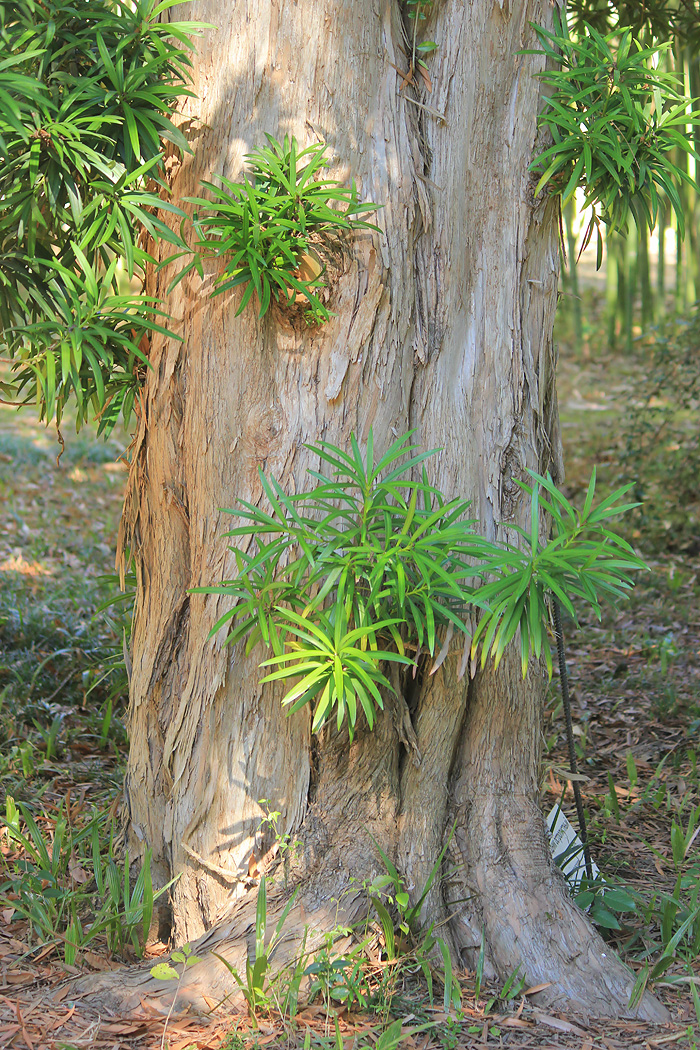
column 90, row 93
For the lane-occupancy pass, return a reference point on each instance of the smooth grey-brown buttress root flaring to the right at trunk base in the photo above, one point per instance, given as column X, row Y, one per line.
column 515, row 893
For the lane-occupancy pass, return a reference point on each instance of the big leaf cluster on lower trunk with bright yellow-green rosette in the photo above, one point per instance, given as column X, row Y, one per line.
column 362, row 571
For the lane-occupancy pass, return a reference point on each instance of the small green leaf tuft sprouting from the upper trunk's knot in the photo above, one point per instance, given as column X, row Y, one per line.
column 270, row 228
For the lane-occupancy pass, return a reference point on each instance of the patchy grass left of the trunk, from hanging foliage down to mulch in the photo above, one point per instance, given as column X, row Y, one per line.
column 62, row 739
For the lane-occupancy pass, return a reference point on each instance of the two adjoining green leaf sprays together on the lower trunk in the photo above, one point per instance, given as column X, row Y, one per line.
column 370, row 566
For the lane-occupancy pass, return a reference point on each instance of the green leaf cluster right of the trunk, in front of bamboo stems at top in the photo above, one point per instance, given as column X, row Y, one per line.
column 616, row 121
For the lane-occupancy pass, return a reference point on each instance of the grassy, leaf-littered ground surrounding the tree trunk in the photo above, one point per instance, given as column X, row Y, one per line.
column 637, row 696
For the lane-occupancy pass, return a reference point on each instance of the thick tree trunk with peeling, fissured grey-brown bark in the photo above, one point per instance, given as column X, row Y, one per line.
column 443, row 323
